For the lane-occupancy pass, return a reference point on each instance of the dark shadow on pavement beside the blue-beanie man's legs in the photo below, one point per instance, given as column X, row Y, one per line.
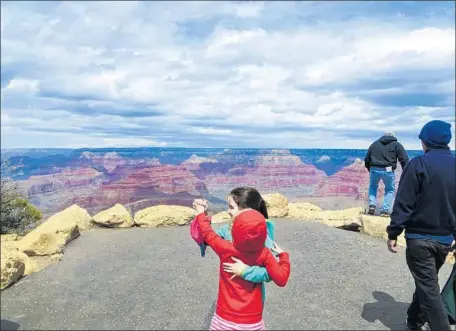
column 387, row 310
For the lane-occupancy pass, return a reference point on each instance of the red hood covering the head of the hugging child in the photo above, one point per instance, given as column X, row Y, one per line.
column 249, row 231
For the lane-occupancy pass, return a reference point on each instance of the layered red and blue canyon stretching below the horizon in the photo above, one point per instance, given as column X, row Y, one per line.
column 97, row 179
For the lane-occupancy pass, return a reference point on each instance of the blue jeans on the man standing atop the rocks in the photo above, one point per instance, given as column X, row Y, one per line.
column 388, row 179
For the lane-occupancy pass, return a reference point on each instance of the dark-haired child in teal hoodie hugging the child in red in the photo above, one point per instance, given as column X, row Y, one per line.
column 244, row 198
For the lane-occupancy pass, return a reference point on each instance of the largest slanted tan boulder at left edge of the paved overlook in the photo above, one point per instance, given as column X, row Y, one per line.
column 51, row 236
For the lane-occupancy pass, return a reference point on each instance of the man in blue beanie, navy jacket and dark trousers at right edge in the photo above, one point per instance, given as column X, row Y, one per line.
column 425, row 208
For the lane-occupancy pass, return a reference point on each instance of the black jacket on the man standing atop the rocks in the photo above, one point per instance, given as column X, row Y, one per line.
column 385, row 152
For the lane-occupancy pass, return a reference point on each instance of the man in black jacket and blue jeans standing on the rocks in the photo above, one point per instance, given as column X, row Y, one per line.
column 381, row 161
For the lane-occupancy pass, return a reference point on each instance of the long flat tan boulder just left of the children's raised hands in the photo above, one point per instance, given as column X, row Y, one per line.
column 164, row 215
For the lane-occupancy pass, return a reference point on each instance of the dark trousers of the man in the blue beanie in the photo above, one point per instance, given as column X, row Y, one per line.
column 424, row 259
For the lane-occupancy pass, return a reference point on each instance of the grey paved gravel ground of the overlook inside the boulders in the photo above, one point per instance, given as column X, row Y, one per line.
column 155, row 279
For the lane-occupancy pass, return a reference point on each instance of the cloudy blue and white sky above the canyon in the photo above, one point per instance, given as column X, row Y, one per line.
column 224, row 74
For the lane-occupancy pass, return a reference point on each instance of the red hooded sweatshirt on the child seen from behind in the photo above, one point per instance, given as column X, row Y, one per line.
column 240, row 301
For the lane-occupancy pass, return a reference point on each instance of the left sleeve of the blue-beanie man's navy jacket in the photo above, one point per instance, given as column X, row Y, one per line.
column 408, row 190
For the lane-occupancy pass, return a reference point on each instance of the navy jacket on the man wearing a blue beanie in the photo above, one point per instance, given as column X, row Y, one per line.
column 426, row 198
